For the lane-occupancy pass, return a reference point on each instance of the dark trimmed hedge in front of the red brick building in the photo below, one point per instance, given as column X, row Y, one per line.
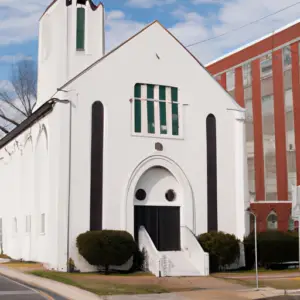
column 272, row 247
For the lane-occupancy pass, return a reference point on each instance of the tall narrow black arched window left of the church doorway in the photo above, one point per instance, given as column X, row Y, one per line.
column 97, row 166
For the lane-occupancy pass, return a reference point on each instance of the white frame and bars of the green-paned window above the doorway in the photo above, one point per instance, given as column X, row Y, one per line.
column 156, row 135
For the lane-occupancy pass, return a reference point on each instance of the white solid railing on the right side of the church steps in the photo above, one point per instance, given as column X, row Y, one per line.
column 194, row 251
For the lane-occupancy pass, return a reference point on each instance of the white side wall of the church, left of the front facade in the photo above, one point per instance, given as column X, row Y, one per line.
column 30, row 182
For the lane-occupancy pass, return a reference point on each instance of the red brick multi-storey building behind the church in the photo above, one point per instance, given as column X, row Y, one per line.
column 263, row 77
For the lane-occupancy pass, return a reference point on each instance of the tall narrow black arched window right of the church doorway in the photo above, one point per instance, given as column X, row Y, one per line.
column 212, row 197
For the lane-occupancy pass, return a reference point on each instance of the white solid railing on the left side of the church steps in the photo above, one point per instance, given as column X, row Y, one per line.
column 152, row 256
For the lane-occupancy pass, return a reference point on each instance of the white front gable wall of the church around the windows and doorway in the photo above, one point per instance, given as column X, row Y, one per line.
column 112, row 82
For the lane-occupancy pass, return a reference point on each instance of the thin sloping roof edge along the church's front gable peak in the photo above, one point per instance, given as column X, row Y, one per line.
column 125, row 42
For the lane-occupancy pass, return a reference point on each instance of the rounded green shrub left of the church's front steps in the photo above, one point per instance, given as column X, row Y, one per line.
column 106, row 248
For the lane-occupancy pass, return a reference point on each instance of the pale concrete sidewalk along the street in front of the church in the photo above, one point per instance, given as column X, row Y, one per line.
column 212, row 289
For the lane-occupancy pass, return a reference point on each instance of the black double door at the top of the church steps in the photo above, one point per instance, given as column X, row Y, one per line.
column 162, row 223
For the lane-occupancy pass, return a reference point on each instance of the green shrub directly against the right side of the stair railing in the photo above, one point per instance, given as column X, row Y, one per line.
column 223, row 249
